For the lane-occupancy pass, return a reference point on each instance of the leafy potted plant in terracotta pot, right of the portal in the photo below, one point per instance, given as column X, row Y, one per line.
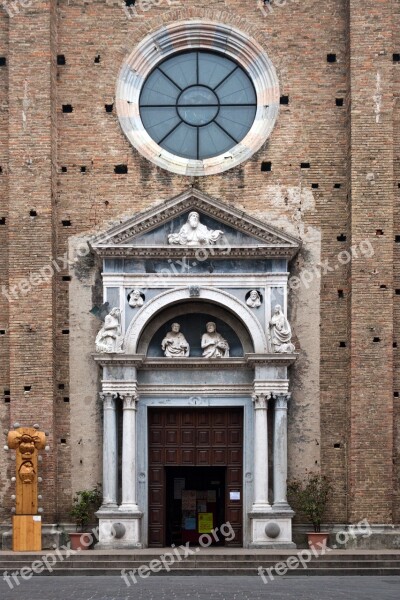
column 310, row 497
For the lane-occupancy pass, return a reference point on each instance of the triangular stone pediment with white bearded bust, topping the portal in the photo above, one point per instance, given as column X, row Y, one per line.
column 164, row 231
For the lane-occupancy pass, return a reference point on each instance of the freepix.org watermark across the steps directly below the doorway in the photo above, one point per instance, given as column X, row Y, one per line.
column 177, row 554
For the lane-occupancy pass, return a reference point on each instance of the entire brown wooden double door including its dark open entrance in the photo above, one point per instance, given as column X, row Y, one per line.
column 194, row 450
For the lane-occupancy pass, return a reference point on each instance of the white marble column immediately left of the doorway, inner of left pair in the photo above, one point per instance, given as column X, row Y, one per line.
column 129, row 501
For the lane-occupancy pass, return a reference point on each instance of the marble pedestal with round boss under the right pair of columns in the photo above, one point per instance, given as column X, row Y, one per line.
column 272, row 529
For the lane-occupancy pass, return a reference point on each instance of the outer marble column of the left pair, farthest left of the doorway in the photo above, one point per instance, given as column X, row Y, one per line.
column 110, row 451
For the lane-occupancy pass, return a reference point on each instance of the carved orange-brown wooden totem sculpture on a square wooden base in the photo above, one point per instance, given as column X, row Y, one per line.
column 26, row 441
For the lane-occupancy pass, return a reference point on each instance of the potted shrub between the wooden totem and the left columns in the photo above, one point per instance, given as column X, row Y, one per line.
column 85, row 504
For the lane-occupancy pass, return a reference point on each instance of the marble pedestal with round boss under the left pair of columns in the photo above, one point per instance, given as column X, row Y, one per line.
column 119, row 529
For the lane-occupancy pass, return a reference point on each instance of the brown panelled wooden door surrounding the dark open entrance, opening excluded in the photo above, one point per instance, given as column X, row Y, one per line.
column 194, row 437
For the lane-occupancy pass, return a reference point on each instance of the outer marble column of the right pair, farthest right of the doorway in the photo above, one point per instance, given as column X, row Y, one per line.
column 280, row 451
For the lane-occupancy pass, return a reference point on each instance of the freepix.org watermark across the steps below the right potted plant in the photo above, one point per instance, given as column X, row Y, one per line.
column 301, row 559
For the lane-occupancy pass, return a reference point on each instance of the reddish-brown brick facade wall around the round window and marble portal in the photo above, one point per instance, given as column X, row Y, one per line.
column 340, row 118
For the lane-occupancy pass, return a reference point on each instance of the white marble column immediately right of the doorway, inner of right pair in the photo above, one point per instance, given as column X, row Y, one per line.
column 261, row 503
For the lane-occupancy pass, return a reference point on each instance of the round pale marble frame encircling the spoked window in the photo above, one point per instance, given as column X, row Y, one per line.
column 189, row 35
